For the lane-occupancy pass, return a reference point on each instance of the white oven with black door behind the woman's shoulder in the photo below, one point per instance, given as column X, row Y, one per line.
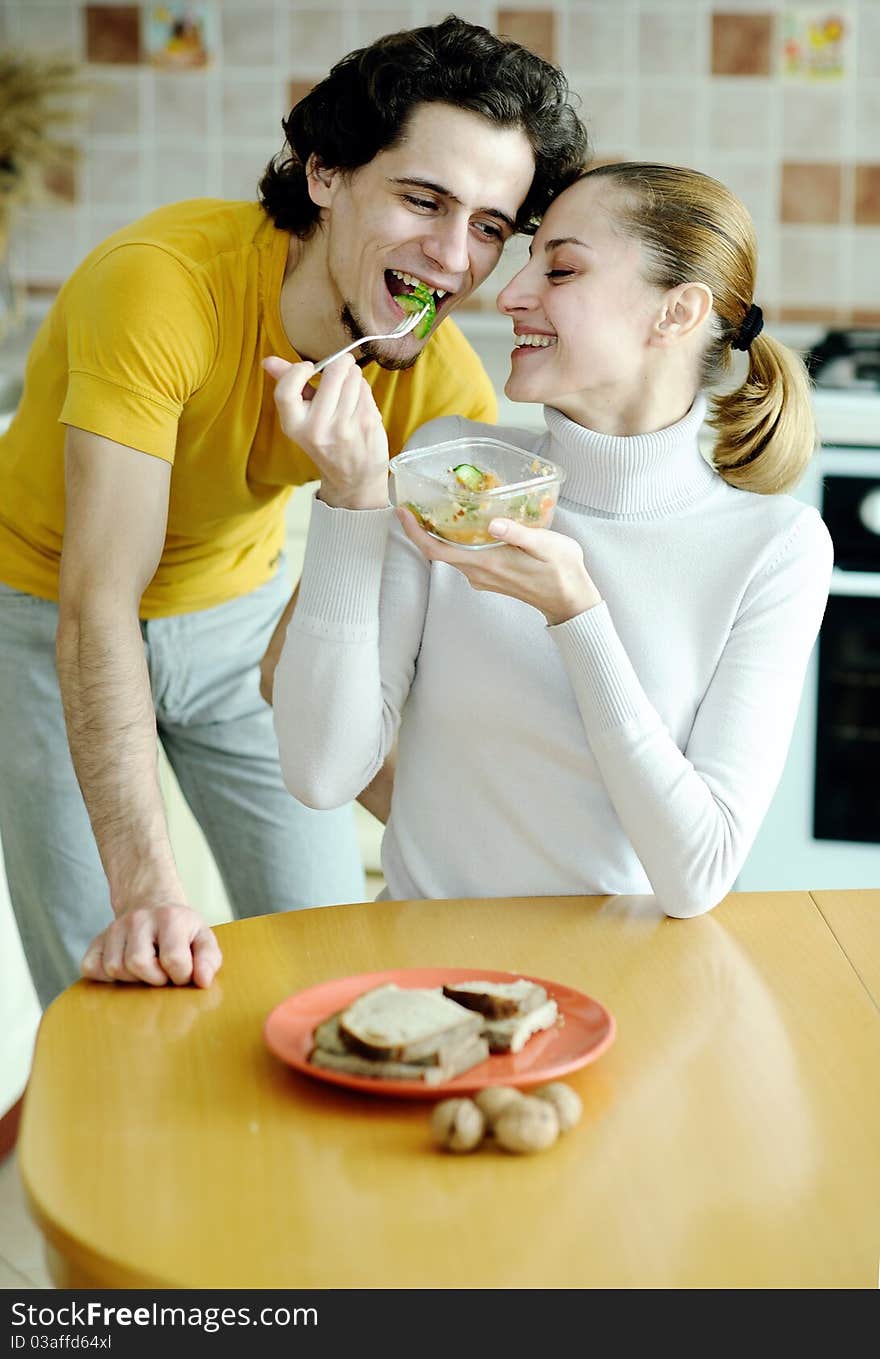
column 824, row 827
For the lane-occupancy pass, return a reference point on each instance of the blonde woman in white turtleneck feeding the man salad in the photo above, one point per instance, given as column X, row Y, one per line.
column 612, row 710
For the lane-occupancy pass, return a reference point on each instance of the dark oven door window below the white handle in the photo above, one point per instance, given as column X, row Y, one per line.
column 848, row 728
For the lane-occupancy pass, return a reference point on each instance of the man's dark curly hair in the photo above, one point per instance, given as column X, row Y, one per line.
column 363, row 108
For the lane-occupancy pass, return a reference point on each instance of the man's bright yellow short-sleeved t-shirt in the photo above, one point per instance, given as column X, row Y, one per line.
column 155, row 342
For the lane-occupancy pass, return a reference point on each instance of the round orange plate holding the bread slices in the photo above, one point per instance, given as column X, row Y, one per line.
column 587, row 1032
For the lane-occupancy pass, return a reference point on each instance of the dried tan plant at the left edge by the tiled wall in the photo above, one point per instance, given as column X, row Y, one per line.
column 40, row 99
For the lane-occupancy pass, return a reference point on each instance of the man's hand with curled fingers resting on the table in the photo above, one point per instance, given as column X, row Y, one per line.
column 155, row 945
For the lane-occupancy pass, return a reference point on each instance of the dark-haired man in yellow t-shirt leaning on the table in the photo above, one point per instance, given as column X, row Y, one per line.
column 145, row 480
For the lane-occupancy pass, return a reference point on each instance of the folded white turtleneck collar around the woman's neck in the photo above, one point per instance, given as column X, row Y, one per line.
column 643, row 476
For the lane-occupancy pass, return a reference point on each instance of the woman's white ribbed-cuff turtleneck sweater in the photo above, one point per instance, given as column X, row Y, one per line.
column 632, row 749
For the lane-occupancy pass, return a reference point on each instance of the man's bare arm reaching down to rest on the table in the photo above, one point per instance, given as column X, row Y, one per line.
column 117, row 502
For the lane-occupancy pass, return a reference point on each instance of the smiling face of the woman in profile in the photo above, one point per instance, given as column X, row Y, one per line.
column 582, row 309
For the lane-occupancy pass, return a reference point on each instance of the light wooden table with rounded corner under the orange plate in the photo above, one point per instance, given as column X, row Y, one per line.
column 730, row 1137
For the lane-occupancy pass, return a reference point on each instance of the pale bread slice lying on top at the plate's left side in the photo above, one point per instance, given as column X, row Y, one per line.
column 397, row 1024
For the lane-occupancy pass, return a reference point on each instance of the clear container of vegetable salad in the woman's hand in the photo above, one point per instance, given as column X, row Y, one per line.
column 515, row 486
